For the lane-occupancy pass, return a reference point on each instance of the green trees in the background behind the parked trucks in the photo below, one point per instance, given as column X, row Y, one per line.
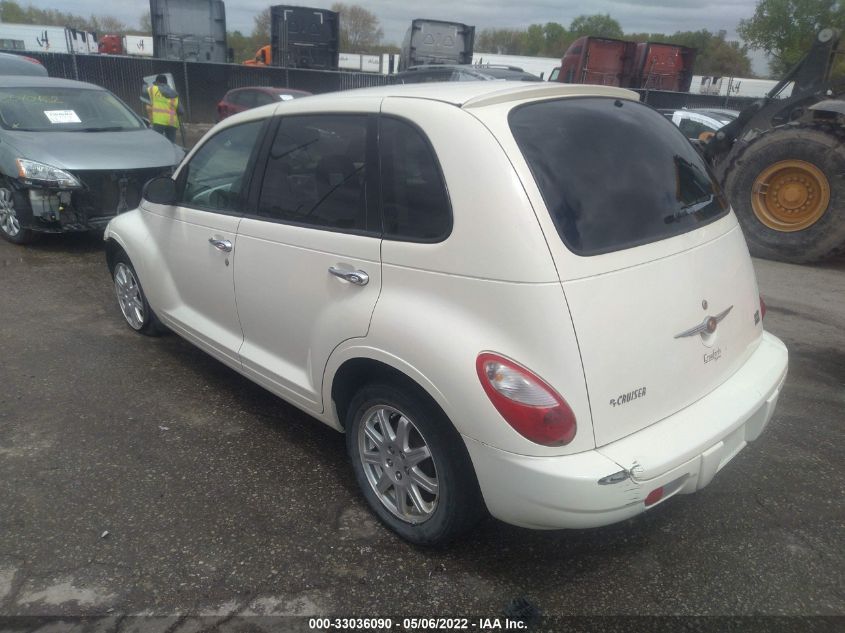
column 784, row 29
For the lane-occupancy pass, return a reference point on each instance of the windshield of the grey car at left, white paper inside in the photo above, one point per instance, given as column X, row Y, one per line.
column 62, row 109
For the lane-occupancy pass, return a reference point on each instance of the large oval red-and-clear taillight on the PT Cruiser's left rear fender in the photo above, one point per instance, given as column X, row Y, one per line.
column 528, row 404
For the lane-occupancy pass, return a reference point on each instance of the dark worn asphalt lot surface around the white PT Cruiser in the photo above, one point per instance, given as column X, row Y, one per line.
column 217, row 498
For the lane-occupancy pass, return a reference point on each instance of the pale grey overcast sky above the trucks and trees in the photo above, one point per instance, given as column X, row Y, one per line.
column 653, row 16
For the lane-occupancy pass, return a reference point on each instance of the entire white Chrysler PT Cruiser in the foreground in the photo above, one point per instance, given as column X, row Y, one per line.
column 527, row 300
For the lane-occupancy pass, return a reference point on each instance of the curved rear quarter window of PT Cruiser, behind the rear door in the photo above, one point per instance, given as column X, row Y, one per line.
column 415, row 204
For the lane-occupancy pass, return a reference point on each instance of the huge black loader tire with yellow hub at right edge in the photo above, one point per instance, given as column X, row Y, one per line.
column 787, row 187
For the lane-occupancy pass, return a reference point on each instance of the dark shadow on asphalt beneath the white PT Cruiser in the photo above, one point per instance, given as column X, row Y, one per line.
column 503, row 546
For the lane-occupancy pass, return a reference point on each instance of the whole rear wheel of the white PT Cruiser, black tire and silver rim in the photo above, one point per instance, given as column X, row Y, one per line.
column 412, row 465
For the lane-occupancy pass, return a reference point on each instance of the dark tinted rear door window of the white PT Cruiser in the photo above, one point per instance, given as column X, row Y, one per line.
column 317, row 172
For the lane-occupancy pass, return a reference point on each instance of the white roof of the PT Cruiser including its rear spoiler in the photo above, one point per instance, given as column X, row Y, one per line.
column 477, row 93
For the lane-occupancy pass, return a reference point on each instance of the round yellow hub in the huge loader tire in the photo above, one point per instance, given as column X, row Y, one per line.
column 790, row 195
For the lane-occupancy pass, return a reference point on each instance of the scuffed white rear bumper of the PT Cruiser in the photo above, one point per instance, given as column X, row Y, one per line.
column 681, row 454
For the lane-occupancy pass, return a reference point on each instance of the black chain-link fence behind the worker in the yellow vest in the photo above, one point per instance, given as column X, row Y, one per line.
column 200, row 84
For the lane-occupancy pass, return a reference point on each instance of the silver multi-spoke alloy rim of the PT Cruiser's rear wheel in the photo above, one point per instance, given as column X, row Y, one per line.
column 398, row 464
